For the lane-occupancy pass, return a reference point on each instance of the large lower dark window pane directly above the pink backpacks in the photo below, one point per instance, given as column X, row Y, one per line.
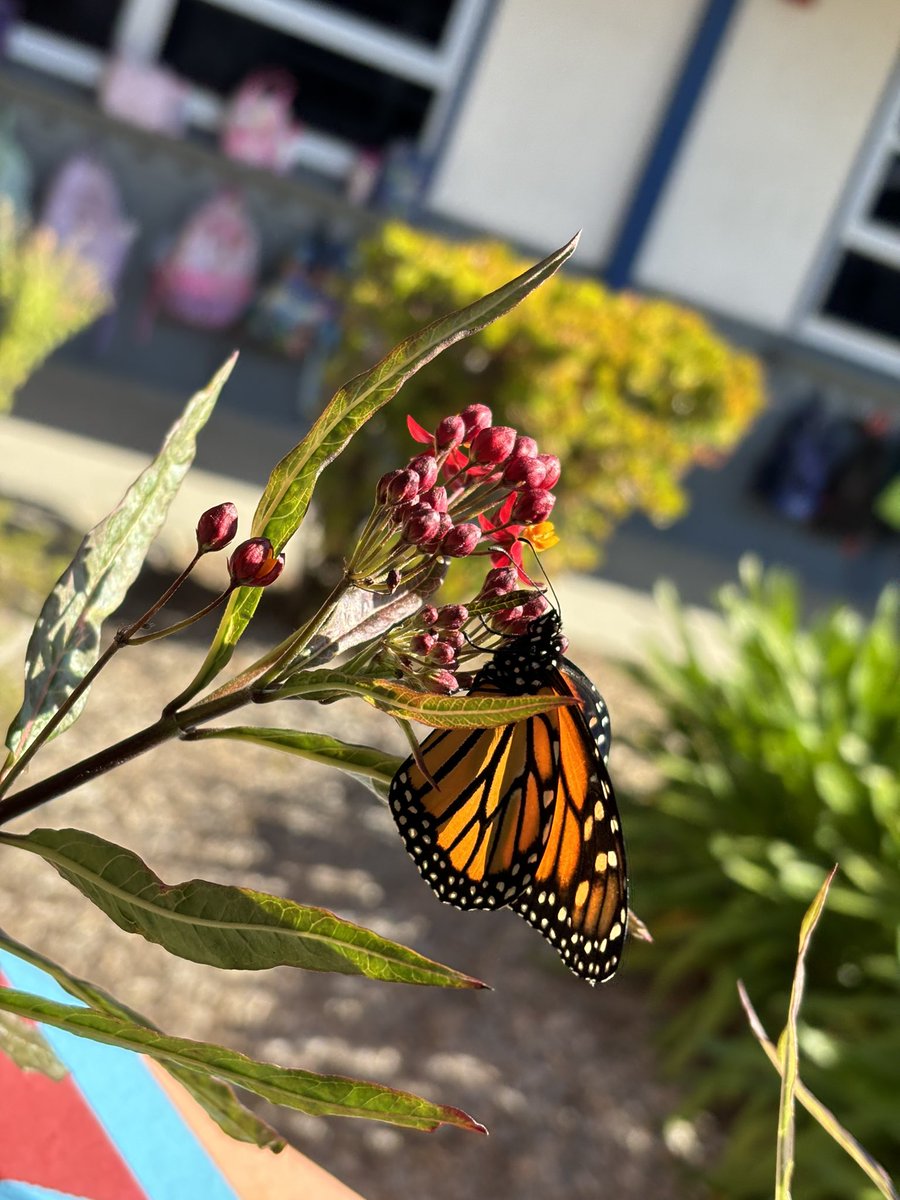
column 337, row 95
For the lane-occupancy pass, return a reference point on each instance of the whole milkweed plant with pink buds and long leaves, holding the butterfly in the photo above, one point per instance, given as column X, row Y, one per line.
column 473, row 490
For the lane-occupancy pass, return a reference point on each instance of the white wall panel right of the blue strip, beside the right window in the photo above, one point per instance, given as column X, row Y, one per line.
column 766, row 163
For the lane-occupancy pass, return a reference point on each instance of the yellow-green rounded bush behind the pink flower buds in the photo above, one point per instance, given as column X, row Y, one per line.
column 628, row 392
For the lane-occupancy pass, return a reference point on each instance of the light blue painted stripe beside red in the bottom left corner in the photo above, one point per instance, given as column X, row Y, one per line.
column 163, row 1154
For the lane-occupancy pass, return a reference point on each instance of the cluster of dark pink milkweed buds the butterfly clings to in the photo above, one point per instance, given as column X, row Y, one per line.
column 476, row 489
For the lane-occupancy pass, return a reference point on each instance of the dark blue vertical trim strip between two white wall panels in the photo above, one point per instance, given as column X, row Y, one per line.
column 682, row 105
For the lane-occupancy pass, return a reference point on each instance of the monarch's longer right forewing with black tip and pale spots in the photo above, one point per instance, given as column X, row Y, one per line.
column 579, row 899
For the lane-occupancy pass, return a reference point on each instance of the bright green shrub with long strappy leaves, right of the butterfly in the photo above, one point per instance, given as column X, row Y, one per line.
column 770, row 771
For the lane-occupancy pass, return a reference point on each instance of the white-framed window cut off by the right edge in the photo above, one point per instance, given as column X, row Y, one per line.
column 854, row 305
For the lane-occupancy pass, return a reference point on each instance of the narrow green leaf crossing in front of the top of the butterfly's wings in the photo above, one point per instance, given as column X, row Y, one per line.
column 398, row 700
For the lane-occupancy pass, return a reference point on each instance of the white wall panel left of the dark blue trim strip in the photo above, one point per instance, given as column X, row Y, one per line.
column 555, row 123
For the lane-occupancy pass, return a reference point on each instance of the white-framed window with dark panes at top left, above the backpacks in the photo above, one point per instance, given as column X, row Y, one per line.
column 369, row 73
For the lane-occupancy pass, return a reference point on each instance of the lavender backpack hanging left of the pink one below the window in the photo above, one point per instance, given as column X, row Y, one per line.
column 83, row 208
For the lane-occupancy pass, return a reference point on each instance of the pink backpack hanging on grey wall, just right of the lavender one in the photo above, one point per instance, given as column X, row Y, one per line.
column 209, row 274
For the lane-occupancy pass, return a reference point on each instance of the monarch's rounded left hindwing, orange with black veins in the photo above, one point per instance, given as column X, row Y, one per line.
column 476, row 829
